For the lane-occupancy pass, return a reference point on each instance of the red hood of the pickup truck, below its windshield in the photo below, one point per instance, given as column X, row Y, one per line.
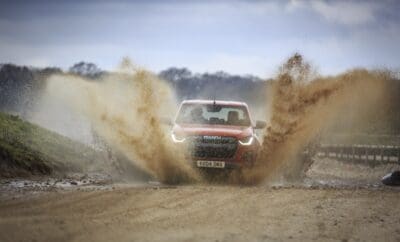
column 213, row 130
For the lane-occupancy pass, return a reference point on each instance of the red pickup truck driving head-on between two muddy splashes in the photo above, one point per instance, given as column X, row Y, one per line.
column 218, row 134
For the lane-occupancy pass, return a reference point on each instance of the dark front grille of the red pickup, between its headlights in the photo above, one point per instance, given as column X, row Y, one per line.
column 213, row 146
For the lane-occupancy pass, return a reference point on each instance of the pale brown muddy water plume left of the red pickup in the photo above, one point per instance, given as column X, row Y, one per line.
column 126, row 109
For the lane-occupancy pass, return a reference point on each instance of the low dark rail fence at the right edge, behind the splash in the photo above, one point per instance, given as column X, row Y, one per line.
column 378, row 153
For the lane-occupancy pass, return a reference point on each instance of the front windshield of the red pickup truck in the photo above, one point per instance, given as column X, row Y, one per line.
column 213, row 114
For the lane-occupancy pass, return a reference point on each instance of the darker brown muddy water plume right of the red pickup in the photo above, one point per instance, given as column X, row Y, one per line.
column 304, row 104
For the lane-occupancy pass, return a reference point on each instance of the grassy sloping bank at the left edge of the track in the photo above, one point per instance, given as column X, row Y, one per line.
column 26, row 148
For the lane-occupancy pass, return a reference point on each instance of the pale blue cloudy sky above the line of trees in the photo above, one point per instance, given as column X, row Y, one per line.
column 239, row 37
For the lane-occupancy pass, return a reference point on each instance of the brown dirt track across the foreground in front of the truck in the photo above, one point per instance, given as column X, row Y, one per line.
column 204, row 213
